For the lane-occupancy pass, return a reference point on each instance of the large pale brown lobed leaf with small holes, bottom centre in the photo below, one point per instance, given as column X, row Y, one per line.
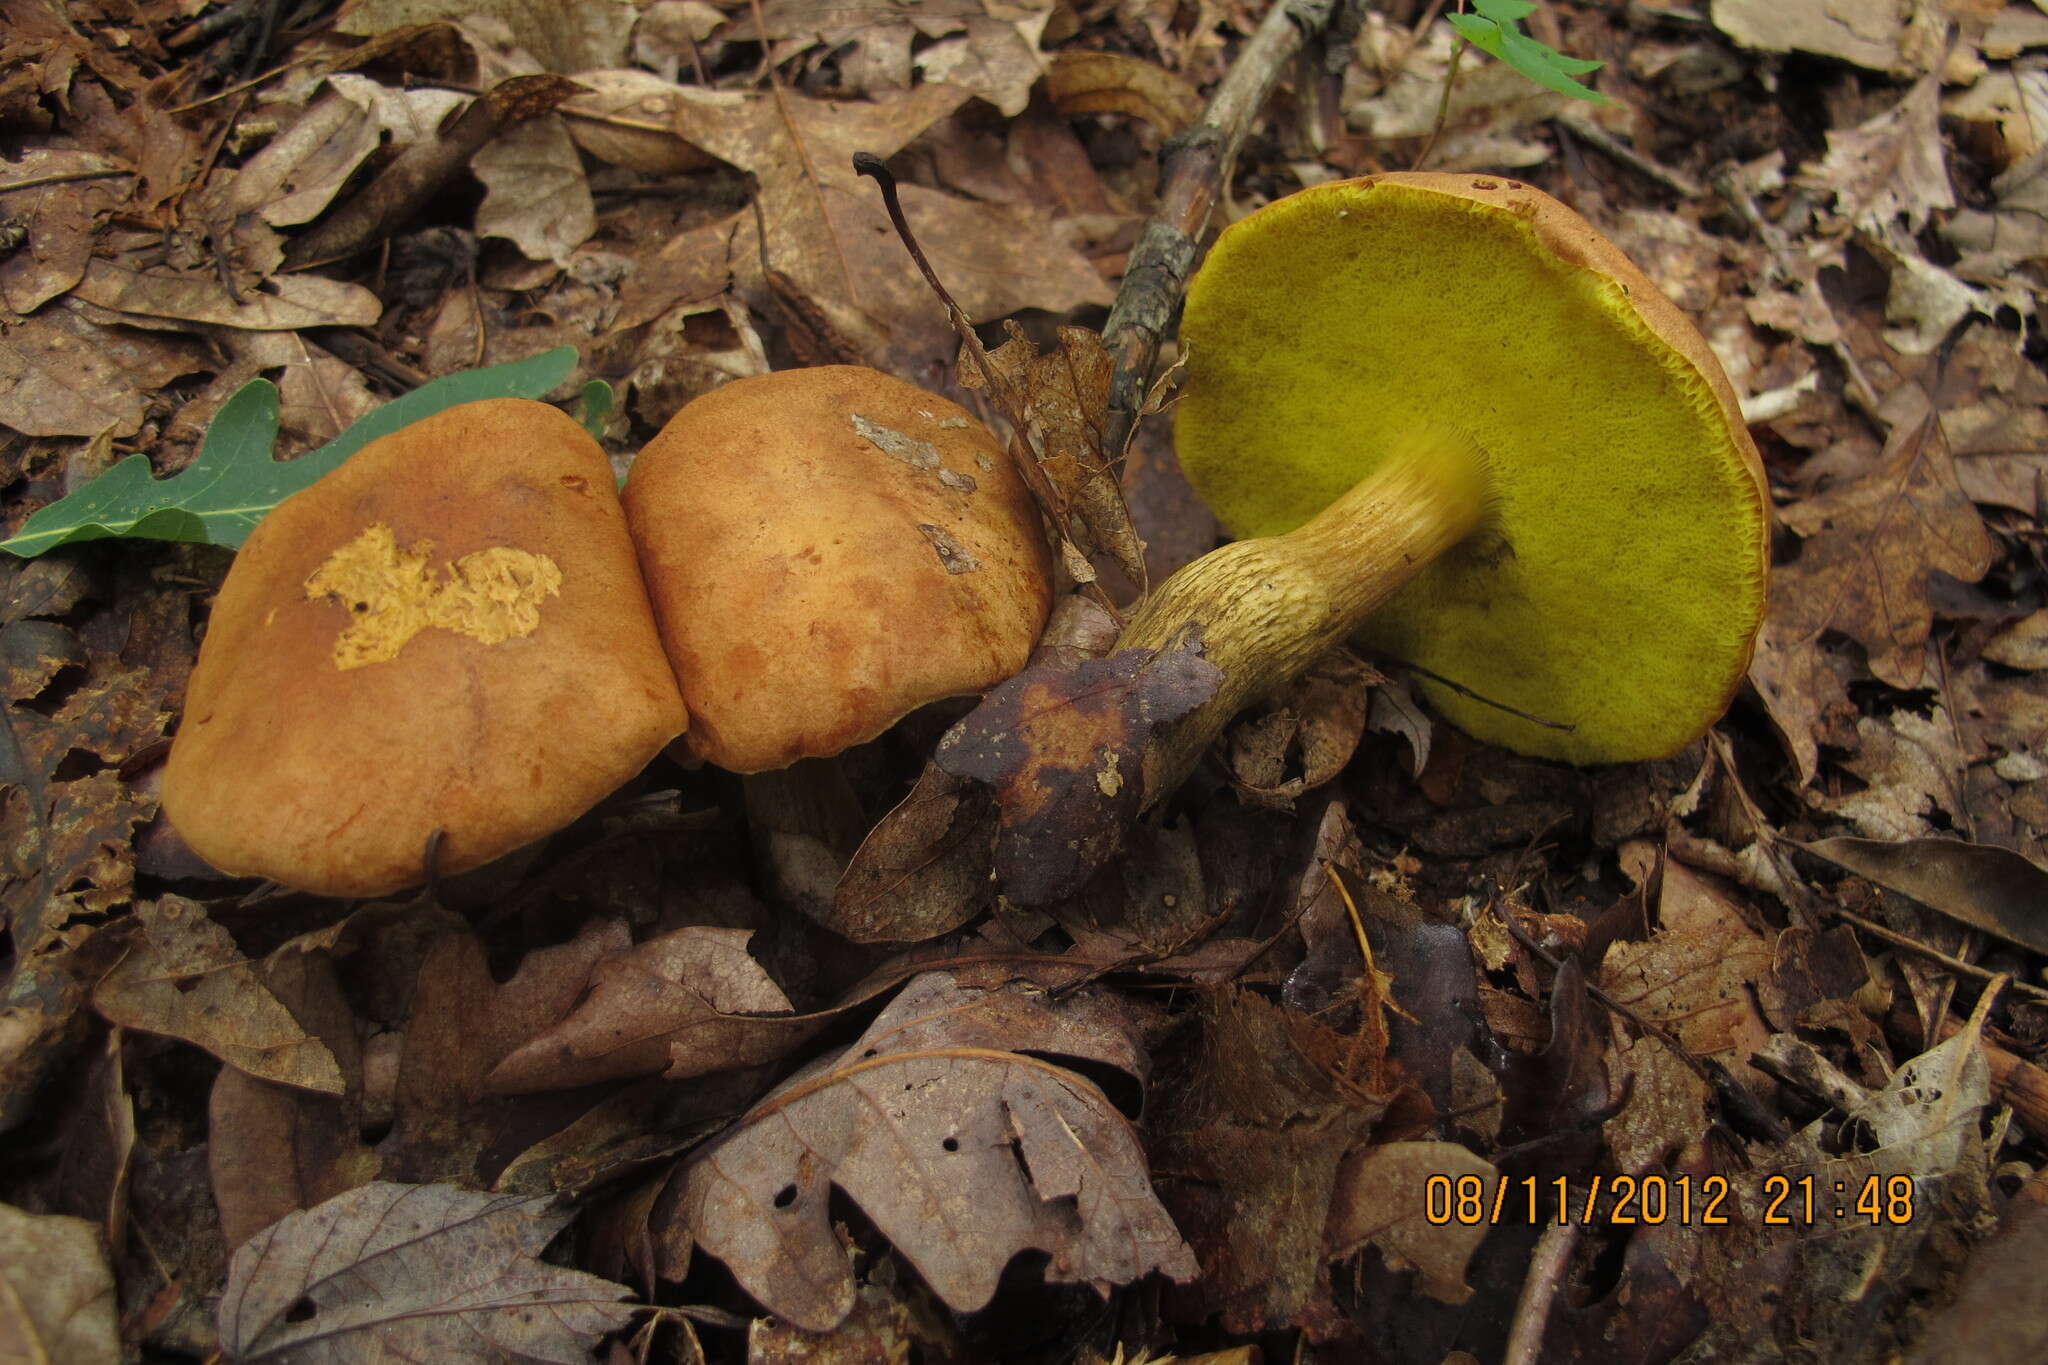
column 962, row 1151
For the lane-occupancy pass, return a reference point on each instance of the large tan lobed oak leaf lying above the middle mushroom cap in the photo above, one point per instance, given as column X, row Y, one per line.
column 830, row 236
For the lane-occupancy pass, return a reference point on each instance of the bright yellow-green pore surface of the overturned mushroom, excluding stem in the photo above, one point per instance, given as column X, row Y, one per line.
column 1633, row 574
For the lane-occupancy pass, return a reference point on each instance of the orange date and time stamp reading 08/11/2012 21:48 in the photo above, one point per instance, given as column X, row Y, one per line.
column 1652, row 1200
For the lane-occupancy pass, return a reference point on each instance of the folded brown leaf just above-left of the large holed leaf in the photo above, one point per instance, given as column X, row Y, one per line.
column 689, row 1002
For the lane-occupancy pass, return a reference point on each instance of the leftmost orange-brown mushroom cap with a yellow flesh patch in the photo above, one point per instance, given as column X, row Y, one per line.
column 447, row 633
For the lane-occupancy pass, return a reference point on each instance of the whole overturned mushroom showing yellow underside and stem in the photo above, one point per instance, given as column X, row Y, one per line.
column 1465, row 431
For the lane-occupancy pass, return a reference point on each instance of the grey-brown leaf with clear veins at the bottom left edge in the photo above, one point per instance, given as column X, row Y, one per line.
column 394, row 1274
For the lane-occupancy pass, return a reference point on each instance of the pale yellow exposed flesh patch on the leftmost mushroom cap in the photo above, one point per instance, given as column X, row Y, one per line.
column 490, row 597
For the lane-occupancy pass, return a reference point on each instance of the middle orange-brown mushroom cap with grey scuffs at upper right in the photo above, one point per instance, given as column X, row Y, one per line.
column 826, row 552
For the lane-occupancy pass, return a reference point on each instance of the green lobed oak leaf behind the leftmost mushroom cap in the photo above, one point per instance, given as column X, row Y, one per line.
column 234, row 482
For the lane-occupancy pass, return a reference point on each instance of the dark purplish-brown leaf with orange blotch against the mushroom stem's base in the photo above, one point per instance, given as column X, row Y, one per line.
column 1064, row 748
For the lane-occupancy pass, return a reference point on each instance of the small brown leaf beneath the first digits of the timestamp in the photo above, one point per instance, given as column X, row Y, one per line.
column 1383, row 1200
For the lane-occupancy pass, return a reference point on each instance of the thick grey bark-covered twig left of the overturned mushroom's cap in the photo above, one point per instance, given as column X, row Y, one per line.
column 1193, row 173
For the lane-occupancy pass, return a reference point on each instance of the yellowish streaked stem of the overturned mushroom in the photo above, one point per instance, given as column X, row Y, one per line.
column 1267, row 609
